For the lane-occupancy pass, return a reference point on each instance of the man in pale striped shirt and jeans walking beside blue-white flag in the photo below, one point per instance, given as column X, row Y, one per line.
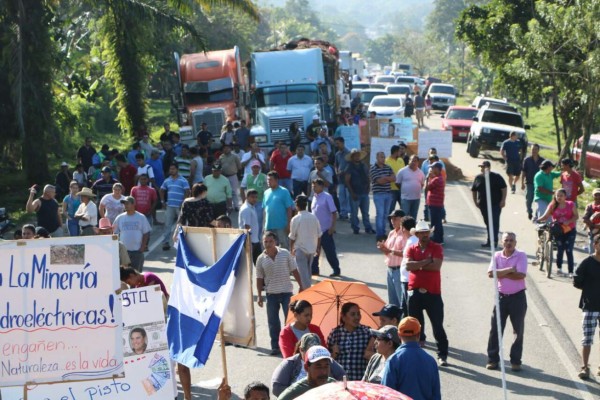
column 273, row 268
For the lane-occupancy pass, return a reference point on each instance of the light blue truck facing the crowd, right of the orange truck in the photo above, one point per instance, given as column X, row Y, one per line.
column 291, row 85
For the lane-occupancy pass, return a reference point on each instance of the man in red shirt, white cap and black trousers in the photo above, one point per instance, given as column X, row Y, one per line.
column 425, row 287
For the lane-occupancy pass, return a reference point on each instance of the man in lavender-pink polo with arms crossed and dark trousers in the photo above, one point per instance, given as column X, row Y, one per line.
column 511, row 268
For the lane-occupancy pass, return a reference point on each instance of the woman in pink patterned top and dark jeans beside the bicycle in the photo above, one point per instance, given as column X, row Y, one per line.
column 565, row 213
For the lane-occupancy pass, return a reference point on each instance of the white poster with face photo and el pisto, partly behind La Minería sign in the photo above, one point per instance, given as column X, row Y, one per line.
column 148, row 372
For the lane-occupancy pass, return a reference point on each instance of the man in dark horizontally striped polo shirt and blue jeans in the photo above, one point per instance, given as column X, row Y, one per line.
column 382, row 175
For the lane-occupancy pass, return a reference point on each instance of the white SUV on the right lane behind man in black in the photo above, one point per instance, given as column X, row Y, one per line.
column 492, row 126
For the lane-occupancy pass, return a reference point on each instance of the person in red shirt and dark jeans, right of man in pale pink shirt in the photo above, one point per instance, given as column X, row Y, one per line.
column 434, row 191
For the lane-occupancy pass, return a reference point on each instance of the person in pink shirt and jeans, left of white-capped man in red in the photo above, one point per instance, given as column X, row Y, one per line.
column 393, row 248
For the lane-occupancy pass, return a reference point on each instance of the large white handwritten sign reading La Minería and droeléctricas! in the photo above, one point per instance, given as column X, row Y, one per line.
column 59, row 314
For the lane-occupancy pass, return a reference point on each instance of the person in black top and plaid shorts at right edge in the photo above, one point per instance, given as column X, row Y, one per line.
column 587, row 278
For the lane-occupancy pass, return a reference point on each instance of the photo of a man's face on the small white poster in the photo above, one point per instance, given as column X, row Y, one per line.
column 144, row 338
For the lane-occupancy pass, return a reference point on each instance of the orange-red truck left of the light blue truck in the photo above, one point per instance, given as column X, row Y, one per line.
column 211, row 90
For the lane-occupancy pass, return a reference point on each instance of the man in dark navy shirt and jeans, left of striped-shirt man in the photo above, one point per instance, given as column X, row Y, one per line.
column 357, row 182
